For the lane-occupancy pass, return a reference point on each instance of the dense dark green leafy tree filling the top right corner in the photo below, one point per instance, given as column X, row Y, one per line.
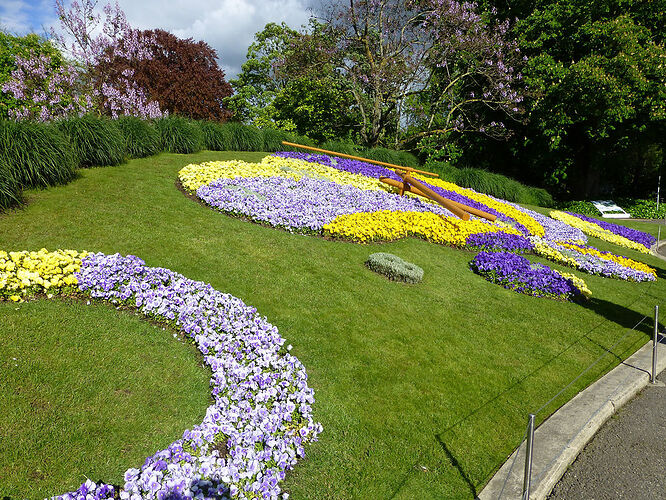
column 597, row 101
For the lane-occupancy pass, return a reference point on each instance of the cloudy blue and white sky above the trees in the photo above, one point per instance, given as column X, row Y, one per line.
column 226, row 25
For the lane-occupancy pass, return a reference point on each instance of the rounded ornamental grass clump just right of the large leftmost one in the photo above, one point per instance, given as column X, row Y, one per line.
column 97, row 141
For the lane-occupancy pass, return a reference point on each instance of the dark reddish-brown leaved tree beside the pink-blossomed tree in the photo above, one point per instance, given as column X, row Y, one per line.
column 180, row 74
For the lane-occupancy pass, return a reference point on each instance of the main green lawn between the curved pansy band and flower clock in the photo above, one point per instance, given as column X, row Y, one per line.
column 423, row 390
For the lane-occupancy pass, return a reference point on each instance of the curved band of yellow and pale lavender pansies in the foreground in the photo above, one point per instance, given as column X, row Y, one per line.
column 261, row 418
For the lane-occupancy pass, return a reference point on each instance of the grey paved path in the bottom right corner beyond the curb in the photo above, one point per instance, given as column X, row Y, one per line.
column 626, row 458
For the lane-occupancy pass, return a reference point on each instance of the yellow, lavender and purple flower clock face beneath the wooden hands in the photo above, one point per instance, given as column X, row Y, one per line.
column 344, row 199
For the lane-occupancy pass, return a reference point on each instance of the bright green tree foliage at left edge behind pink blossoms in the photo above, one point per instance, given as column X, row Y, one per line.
column 12, row 46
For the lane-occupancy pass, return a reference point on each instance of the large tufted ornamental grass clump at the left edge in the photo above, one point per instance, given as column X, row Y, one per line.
column 36, row 155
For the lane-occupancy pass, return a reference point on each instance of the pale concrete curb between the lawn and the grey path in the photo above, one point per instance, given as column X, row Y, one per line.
column 559, row 440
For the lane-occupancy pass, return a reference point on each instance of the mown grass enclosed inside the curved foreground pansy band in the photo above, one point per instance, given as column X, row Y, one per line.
column 88, row 391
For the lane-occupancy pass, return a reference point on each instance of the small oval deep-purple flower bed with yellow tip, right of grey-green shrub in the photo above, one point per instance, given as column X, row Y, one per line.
column 517, row 273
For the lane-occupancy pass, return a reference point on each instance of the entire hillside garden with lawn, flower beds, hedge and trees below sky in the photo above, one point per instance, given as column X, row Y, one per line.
column 190, row 309
